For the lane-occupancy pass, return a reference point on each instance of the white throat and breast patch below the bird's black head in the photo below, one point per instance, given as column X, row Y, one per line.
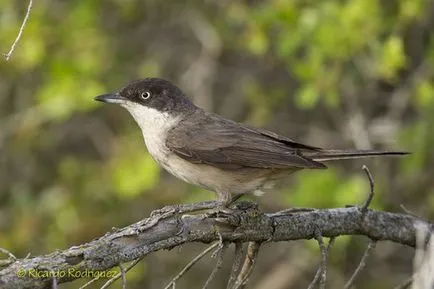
column 154, row 125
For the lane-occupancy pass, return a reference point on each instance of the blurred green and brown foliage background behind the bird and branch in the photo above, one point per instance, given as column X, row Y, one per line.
column 329, row 73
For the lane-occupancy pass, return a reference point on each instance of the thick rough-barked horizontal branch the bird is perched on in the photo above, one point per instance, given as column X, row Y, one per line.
column 168, row 230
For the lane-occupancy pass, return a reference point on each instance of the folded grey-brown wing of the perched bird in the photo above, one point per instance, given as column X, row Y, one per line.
column 210, row 139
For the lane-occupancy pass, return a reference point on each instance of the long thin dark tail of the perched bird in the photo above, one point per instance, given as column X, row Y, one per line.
column 331, row 155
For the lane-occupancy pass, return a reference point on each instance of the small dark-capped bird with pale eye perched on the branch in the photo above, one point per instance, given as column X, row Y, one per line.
column 216, row 153
